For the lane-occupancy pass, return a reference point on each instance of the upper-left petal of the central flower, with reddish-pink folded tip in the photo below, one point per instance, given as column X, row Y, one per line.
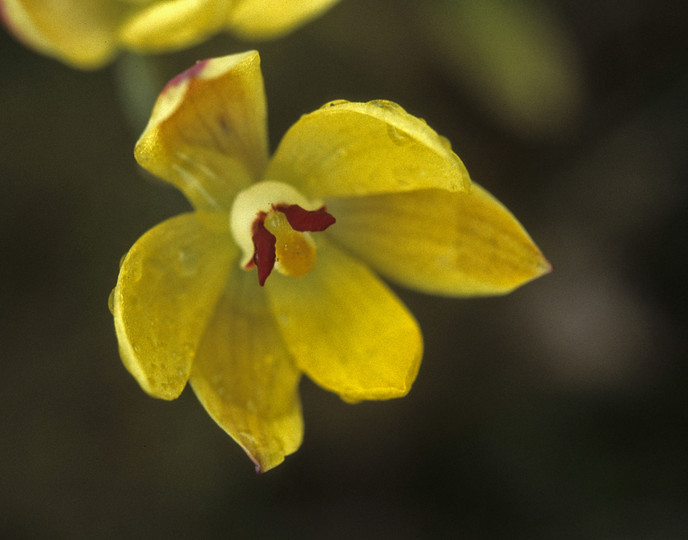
column 207, row 134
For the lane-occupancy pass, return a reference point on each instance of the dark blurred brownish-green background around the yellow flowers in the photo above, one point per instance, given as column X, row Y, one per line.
column 559, row 411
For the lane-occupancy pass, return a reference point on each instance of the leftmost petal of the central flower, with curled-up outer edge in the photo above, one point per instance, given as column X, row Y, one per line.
column 168, row 286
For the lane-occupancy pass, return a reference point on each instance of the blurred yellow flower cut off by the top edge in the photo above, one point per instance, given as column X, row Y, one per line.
column 87, row 33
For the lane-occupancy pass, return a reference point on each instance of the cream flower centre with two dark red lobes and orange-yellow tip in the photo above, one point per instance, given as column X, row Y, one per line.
column 271, row 222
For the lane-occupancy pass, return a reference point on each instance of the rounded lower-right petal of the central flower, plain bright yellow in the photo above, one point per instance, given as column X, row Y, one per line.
column 346, row 329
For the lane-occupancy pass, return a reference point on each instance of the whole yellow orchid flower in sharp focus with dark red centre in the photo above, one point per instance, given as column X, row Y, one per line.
column 274, row 272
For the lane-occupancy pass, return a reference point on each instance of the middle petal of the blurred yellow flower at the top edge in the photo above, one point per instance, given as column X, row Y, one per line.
column 173, row 24
